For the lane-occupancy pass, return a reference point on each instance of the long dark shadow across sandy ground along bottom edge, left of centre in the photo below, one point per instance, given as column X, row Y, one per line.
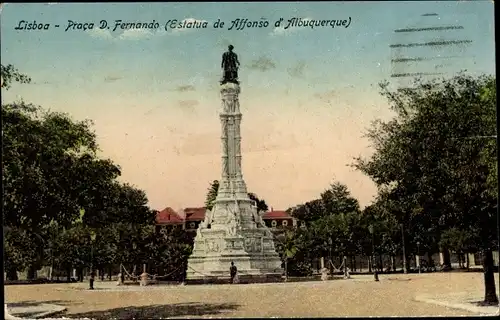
column 158, row 311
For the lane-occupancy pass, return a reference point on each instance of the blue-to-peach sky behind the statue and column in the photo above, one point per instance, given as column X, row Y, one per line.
column 308, row 95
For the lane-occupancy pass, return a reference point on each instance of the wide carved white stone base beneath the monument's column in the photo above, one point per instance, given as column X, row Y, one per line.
column 249, row 245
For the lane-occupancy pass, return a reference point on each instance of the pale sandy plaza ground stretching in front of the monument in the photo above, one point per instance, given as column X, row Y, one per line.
column 393, row 295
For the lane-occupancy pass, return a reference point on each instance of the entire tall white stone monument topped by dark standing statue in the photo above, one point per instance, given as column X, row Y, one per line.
column 233, row 230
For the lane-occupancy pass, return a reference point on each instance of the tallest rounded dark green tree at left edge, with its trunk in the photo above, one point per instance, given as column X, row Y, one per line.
column 51, row 171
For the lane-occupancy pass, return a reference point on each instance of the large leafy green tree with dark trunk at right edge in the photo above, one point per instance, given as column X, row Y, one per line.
column 432, row 164
